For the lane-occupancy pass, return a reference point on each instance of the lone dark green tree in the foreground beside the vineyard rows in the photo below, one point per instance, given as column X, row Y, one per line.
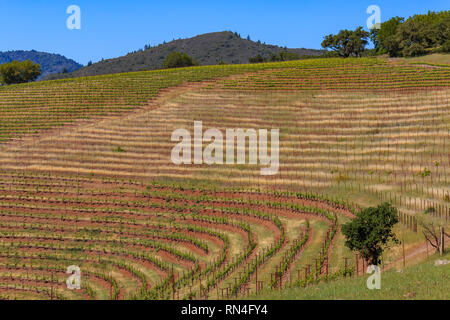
column 371, row 231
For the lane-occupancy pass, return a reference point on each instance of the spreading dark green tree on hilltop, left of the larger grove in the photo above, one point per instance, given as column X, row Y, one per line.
column 347, row 43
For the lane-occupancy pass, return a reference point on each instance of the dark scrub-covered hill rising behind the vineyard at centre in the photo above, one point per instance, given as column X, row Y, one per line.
column 207, row 49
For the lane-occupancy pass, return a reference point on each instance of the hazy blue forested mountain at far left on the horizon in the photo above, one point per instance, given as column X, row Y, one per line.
column 50, row 63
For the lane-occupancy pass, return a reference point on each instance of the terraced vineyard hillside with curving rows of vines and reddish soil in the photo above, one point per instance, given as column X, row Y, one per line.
column 86, row 177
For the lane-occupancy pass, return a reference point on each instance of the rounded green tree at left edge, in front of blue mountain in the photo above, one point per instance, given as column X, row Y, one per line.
column 19, row 72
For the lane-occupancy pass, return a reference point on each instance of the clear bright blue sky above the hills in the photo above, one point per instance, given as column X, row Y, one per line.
column 111, row 28
